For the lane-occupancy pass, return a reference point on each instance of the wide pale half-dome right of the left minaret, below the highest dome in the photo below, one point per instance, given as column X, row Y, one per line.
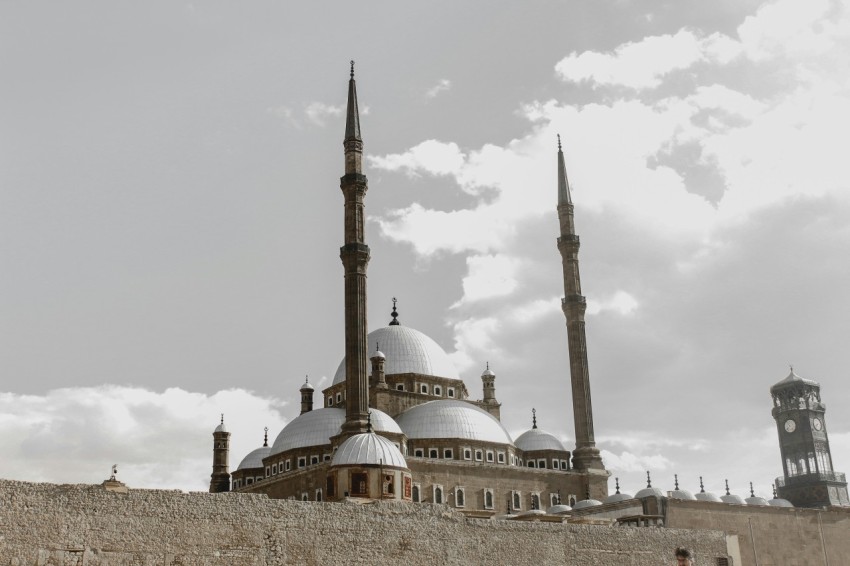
column 452, row 419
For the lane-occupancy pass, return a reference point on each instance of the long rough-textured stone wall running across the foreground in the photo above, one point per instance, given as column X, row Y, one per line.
column 45, row 524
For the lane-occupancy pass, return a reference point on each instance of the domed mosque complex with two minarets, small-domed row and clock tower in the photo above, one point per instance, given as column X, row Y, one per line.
column 398, row 423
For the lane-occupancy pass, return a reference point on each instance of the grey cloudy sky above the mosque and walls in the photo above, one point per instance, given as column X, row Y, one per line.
column 170, row 220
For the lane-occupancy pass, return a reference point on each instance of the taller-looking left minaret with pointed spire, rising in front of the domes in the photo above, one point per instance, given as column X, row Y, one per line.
column 355, row 258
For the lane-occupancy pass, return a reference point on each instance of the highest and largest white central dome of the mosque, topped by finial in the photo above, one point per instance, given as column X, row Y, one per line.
column 407, row 351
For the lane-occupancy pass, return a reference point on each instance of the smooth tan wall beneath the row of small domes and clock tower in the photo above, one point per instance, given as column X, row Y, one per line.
column 772, row 536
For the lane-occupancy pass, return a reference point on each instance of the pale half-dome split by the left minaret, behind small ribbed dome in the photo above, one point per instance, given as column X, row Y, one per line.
column 315, row 428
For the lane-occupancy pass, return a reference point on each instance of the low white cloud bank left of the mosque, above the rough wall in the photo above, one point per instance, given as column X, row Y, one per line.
column 157, row 439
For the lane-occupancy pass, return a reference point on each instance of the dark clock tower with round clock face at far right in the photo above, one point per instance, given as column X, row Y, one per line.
column 809, row 480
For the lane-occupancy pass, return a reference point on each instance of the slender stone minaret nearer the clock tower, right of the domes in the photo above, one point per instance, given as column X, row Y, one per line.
column 586, row 455
